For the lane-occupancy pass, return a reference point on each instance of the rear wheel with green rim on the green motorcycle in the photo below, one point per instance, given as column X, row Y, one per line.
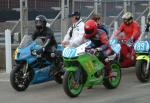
column 112, row 82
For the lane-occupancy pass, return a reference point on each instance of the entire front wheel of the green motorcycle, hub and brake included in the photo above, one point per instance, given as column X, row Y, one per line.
column 72, row 83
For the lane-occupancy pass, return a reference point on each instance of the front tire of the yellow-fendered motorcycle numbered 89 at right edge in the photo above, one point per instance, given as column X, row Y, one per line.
column 140, row 71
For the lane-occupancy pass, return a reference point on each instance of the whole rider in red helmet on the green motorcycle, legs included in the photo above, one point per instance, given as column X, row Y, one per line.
column 101, row 43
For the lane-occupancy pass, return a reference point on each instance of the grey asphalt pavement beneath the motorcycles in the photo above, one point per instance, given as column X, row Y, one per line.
column 130, row 90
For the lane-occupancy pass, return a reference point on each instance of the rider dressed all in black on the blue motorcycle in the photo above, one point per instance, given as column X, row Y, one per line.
column 47, row 36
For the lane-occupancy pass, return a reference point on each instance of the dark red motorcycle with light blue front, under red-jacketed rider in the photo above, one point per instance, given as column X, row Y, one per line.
column 125, row 50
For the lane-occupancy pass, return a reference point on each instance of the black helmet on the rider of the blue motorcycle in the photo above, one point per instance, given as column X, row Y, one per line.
column 40, row 22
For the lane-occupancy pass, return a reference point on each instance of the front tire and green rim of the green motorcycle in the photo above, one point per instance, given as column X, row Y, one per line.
column 67, row 84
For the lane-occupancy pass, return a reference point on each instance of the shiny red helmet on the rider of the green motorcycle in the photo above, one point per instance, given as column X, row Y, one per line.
column 90, row 29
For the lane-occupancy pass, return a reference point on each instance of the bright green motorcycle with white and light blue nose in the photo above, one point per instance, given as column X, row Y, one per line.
column 84, row 69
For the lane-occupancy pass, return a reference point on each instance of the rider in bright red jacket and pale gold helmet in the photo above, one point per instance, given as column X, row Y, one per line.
column 130, row 27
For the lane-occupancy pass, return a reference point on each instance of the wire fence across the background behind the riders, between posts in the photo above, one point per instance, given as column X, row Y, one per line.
column 110, row 10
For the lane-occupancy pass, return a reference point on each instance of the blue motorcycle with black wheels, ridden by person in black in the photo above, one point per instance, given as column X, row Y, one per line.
column 32, row 68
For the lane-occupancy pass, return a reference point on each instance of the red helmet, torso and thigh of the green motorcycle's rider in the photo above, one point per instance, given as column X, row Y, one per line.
column 99, row 38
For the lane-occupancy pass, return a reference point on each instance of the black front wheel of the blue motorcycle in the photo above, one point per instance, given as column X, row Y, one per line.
column 17, row 82
